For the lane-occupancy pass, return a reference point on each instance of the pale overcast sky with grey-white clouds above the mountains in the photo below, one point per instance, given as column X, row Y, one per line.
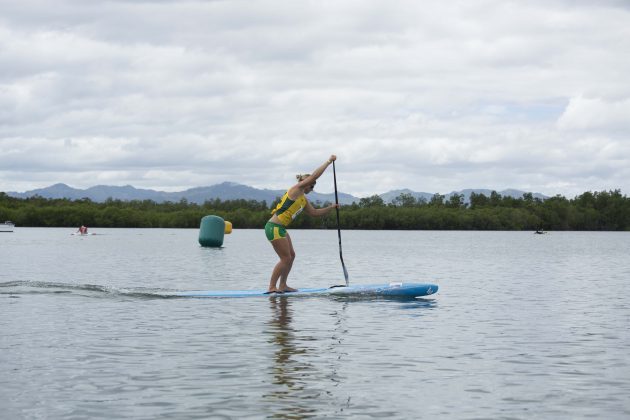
column 433, row 96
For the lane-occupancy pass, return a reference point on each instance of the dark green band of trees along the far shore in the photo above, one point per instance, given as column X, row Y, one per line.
column 605, row 210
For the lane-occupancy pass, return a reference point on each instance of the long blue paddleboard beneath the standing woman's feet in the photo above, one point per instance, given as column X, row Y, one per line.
column 400, row 290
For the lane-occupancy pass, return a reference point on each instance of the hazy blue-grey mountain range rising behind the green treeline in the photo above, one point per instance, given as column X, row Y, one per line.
column 226, row 191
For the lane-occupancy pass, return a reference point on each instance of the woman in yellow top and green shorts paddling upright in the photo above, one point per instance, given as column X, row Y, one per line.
column 293, row 202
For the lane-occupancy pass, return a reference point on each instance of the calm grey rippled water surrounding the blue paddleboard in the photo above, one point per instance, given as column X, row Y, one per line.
column 524, row 326
